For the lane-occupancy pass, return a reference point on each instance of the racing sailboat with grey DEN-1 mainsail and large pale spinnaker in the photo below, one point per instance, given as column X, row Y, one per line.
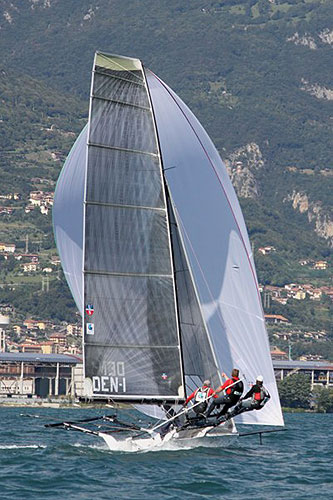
column 155, row 250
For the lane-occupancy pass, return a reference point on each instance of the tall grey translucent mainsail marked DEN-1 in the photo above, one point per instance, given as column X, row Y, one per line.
column 131, row 336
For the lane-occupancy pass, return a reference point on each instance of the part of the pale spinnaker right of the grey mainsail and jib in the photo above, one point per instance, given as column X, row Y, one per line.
column 217, row 245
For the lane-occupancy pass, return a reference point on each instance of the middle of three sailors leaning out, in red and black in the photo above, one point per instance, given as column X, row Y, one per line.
column 231, row 396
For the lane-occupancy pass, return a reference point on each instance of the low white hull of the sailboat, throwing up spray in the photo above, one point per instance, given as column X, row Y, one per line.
column 187, row 438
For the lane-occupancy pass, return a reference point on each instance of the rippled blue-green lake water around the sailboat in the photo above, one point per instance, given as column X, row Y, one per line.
column 41, row 463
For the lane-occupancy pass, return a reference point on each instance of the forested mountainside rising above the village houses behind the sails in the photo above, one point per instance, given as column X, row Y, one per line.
column 257, row 73
